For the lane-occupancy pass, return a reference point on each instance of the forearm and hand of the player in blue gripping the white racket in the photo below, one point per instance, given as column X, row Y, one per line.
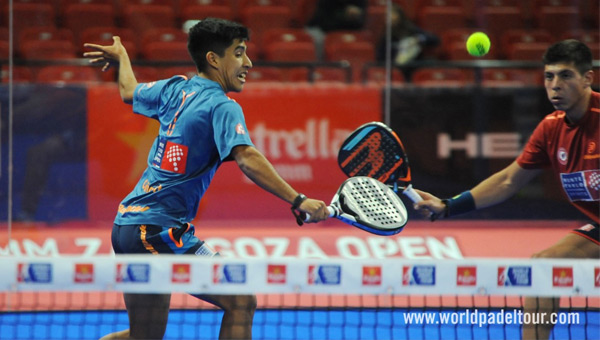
column 257, row 168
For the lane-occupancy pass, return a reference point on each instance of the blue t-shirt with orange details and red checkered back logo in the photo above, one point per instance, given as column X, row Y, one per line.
column 199, row 127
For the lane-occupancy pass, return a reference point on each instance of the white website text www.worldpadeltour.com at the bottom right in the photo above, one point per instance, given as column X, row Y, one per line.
column 482, row 318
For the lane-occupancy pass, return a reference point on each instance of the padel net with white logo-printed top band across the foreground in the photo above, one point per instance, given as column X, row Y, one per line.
column 79, row 297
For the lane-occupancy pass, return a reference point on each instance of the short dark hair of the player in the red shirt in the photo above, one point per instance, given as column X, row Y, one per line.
column 570, row 51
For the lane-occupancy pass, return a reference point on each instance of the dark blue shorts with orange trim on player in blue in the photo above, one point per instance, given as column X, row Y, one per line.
column 144, row 239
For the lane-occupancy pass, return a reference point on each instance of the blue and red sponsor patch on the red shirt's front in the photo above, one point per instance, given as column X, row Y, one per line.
column 582, row 185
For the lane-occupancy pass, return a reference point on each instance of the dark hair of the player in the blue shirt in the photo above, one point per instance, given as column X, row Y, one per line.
column 212, row 34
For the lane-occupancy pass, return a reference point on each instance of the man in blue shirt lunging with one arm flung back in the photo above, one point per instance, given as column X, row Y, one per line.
column 200, row 128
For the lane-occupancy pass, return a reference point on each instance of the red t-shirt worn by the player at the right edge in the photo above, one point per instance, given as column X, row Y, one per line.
column 573, row 152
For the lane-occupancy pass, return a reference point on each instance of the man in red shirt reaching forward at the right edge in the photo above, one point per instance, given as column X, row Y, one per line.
column 566, row 141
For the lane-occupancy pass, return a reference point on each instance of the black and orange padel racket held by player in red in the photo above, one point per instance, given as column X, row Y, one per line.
column 375, row 151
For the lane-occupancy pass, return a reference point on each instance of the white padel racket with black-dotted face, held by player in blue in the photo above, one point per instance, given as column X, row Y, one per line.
column 368, row 204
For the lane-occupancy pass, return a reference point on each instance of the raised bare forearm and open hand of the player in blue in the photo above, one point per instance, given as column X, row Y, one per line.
column 115, row 54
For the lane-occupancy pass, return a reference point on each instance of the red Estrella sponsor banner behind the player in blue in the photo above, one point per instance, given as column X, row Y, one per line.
column 298, row 128
